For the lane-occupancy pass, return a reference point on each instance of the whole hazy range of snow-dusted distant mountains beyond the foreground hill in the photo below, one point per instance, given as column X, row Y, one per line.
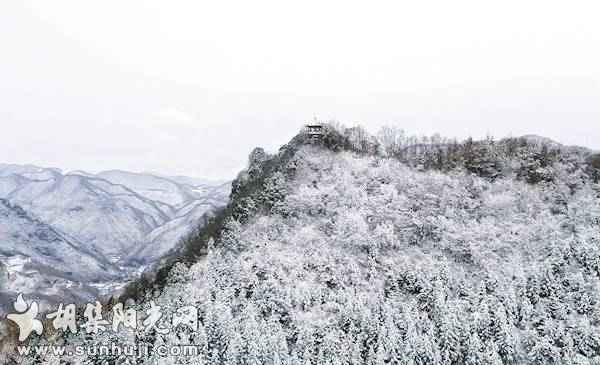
column 77, row 234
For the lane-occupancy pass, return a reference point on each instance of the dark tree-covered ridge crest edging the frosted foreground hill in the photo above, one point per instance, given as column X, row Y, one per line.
column 338, row 138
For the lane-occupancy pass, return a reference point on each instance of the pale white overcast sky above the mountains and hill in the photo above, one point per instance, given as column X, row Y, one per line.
column 190, row 87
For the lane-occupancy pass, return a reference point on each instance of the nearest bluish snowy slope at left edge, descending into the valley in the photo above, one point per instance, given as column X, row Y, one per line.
column 44, row 264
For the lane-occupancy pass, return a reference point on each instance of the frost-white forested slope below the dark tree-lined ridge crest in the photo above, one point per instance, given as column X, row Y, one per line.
column 369, row 261
